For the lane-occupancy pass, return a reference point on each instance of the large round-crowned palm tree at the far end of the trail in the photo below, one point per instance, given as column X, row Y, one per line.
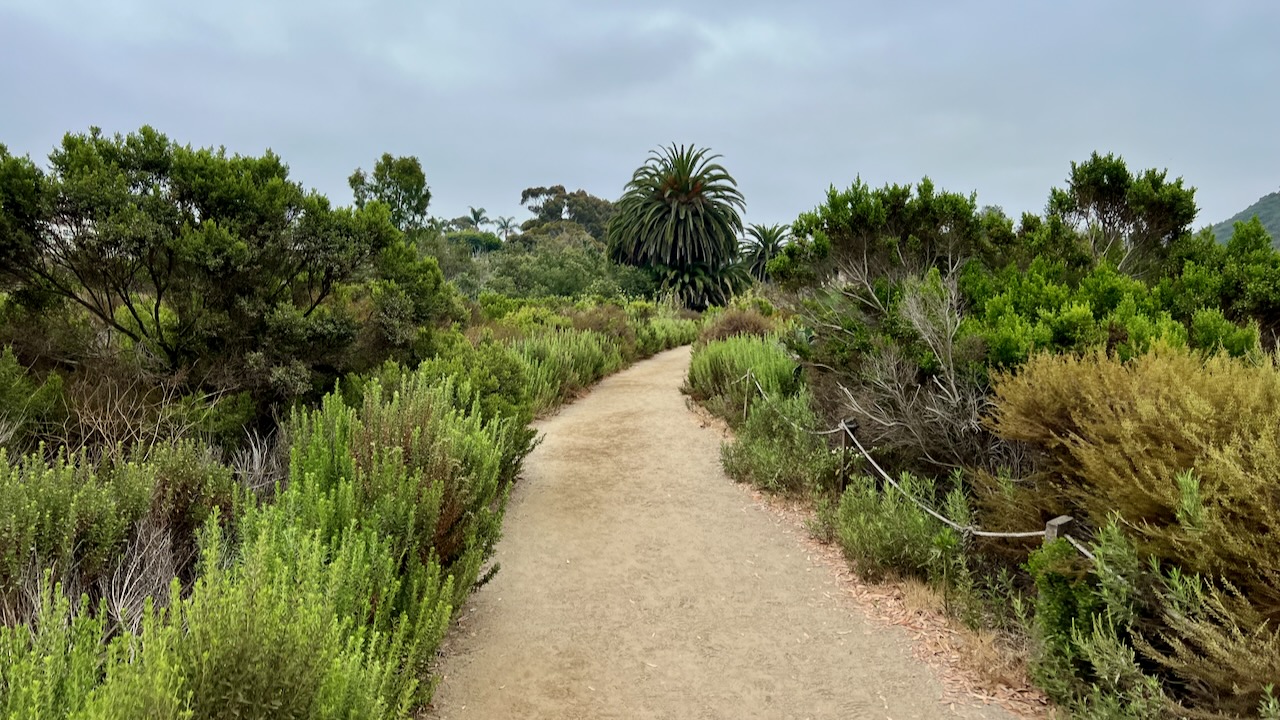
column 682, row 216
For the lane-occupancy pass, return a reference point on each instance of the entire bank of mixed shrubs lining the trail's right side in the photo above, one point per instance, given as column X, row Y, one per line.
column 1100, row 362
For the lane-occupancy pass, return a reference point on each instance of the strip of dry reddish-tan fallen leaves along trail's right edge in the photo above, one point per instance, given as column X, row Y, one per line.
column 953, row 653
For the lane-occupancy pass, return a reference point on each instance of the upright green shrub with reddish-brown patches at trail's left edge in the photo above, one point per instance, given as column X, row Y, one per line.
column 423, row 472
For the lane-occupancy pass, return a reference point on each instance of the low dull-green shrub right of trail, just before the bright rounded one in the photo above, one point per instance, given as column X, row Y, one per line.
column 776, row 449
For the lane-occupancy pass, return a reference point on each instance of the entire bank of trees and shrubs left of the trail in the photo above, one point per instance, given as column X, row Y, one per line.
column 255, row 450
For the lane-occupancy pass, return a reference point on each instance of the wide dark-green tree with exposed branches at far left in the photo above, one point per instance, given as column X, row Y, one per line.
column 216, row 271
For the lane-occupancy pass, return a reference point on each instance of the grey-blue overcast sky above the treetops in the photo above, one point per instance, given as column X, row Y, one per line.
column 496, row 97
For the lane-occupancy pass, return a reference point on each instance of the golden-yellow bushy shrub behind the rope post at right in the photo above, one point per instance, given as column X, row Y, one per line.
column 1186, row 449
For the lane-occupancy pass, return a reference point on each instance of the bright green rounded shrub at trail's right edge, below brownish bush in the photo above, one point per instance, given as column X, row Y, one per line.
column 724, row 375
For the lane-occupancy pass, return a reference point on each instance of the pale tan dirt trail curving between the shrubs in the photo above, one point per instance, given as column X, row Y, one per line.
column 639, row 582
